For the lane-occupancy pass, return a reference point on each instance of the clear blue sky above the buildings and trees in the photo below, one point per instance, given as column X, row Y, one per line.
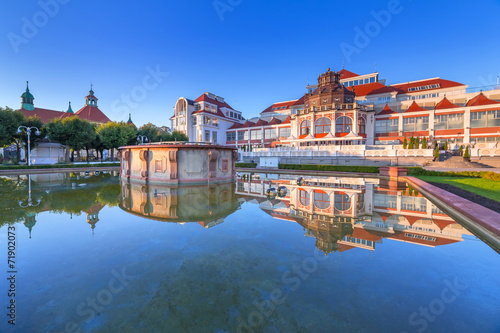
column 253, row 53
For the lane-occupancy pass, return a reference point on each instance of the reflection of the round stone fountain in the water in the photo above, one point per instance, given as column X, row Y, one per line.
column 207, row 205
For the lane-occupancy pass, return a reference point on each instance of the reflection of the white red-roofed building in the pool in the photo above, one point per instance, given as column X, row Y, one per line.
column 346, row 213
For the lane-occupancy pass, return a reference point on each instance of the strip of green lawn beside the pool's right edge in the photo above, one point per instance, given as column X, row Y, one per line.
column 485, row 187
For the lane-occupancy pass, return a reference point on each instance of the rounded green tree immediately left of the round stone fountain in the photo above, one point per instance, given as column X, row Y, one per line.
column 116, row 134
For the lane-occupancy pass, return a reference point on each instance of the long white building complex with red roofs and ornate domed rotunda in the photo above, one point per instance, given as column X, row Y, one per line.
column 347, row 109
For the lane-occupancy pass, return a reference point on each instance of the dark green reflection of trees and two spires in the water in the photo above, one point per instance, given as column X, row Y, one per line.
column 23, row 197
